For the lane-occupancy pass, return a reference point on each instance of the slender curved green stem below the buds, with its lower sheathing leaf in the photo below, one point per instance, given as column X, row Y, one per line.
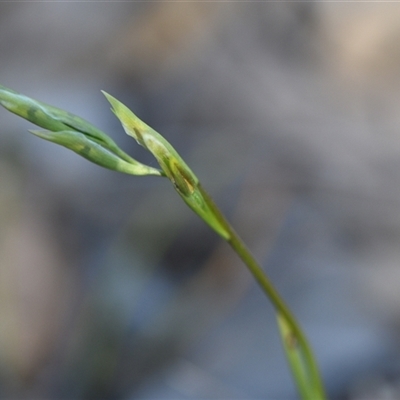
column 298, row 351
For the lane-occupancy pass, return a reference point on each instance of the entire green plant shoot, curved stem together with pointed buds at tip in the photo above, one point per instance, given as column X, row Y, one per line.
column 83, row 138
